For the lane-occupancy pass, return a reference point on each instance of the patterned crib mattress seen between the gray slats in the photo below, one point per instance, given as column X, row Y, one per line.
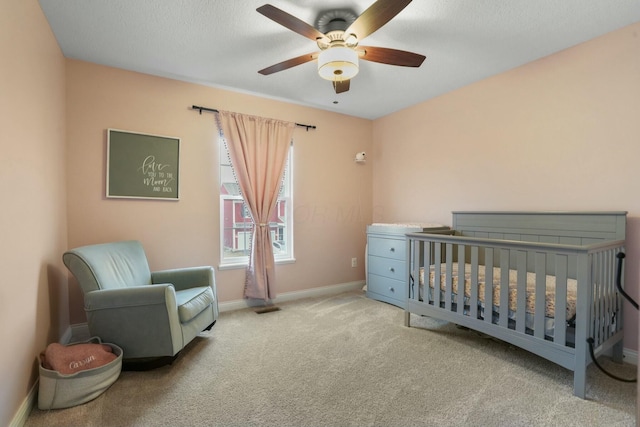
column 530, row 289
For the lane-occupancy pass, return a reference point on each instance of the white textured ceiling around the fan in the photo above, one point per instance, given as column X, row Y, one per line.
column 223, row 43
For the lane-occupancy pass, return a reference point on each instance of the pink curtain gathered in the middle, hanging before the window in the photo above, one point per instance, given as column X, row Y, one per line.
column 258, row 148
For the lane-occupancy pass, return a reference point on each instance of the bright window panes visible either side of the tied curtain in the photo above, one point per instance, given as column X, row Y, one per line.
column 236, row 224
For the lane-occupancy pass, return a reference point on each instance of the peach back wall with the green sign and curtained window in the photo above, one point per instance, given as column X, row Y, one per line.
column 332, row 194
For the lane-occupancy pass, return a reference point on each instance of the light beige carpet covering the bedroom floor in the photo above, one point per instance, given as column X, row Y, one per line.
column 346, row 360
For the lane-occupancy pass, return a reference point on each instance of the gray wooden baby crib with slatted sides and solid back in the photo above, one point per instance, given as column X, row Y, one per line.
column 541, row 281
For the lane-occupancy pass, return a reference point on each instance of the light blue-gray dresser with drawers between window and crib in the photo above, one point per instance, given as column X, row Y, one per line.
column 387, row 260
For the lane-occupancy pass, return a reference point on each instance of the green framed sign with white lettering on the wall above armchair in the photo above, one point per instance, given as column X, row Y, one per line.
column 142, row 166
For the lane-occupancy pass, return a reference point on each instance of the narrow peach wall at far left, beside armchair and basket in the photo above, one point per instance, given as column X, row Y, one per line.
column 33, row 290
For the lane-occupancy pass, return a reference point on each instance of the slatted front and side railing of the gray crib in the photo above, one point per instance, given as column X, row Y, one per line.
column 589, row 269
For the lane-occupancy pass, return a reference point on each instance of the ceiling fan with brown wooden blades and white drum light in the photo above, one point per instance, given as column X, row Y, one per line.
column 339, row 41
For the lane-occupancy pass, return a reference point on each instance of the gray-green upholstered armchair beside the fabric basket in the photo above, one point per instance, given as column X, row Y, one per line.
column 148, row 314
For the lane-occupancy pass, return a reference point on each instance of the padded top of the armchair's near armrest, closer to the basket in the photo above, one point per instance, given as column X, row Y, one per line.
column 135, row 296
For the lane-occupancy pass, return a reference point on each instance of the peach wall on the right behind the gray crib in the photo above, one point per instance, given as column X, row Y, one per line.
column 561, row 133
